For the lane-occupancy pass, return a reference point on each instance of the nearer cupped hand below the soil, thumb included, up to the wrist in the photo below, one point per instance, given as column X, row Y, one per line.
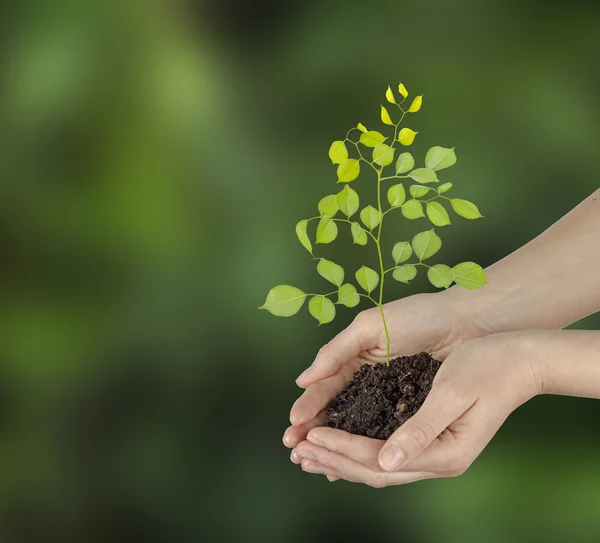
column 475, row 390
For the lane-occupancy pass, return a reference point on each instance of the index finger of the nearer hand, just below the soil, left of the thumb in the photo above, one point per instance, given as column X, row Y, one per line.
column 358, row 448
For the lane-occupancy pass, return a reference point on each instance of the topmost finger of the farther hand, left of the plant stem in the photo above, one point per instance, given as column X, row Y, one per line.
column 361, row 335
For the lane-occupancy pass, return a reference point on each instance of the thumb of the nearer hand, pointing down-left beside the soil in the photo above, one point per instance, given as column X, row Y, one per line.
column 440, row 409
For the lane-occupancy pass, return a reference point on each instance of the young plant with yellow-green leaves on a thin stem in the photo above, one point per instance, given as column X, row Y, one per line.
column 427, row 196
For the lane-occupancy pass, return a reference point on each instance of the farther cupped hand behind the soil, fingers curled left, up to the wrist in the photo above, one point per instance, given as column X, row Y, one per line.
column 435, row 323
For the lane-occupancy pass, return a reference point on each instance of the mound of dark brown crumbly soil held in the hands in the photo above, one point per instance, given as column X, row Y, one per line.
column 381, row 398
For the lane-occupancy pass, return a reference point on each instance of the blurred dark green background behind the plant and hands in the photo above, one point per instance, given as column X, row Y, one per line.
column 154, row 159
